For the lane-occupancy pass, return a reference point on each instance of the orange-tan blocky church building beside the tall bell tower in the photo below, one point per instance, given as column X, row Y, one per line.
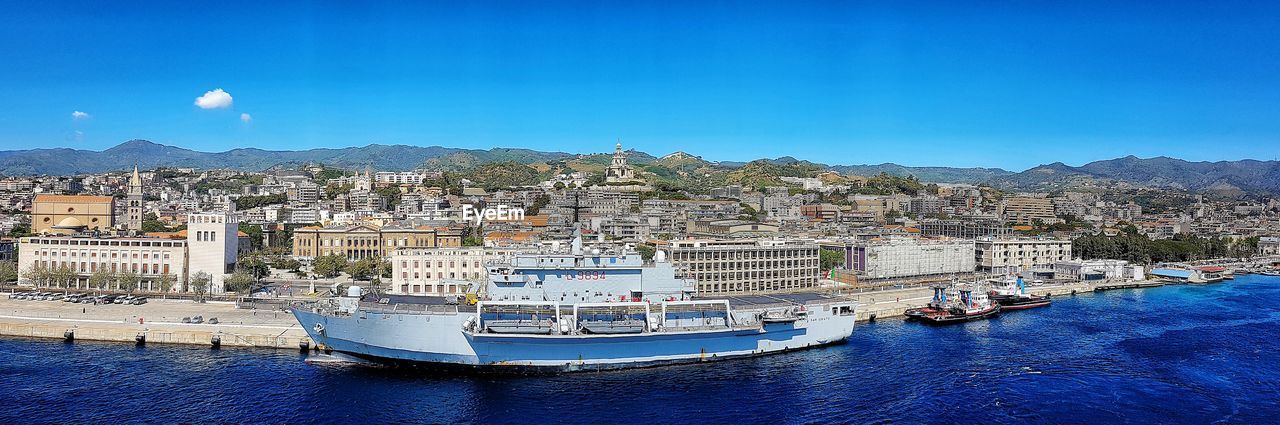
column 66, row 214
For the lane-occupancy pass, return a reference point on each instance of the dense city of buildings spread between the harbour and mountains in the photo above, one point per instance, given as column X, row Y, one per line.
column 223, row 232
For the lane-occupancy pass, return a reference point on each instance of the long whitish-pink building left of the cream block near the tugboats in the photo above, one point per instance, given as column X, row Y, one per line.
column 906, row 258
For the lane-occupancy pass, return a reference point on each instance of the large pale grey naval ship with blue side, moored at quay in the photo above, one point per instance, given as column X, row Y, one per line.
column 578, row 312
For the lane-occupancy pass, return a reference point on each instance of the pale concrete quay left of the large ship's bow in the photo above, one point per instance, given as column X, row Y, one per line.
column 161, row 322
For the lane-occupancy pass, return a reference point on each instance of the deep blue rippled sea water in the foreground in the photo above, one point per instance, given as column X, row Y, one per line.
column 1192, row 355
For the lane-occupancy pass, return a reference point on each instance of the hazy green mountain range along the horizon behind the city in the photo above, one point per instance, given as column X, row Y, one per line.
column 1223, row 179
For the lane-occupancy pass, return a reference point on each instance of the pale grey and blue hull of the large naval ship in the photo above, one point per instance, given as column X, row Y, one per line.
column 438, row 342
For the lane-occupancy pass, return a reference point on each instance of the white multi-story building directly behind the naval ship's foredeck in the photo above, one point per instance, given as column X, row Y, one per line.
column 441, row 272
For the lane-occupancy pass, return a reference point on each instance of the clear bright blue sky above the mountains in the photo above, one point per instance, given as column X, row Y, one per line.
column 1008, row 85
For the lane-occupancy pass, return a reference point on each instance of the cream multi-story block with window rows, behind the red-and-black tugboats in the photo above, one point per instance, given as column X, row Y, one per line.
column 1021, row 255
